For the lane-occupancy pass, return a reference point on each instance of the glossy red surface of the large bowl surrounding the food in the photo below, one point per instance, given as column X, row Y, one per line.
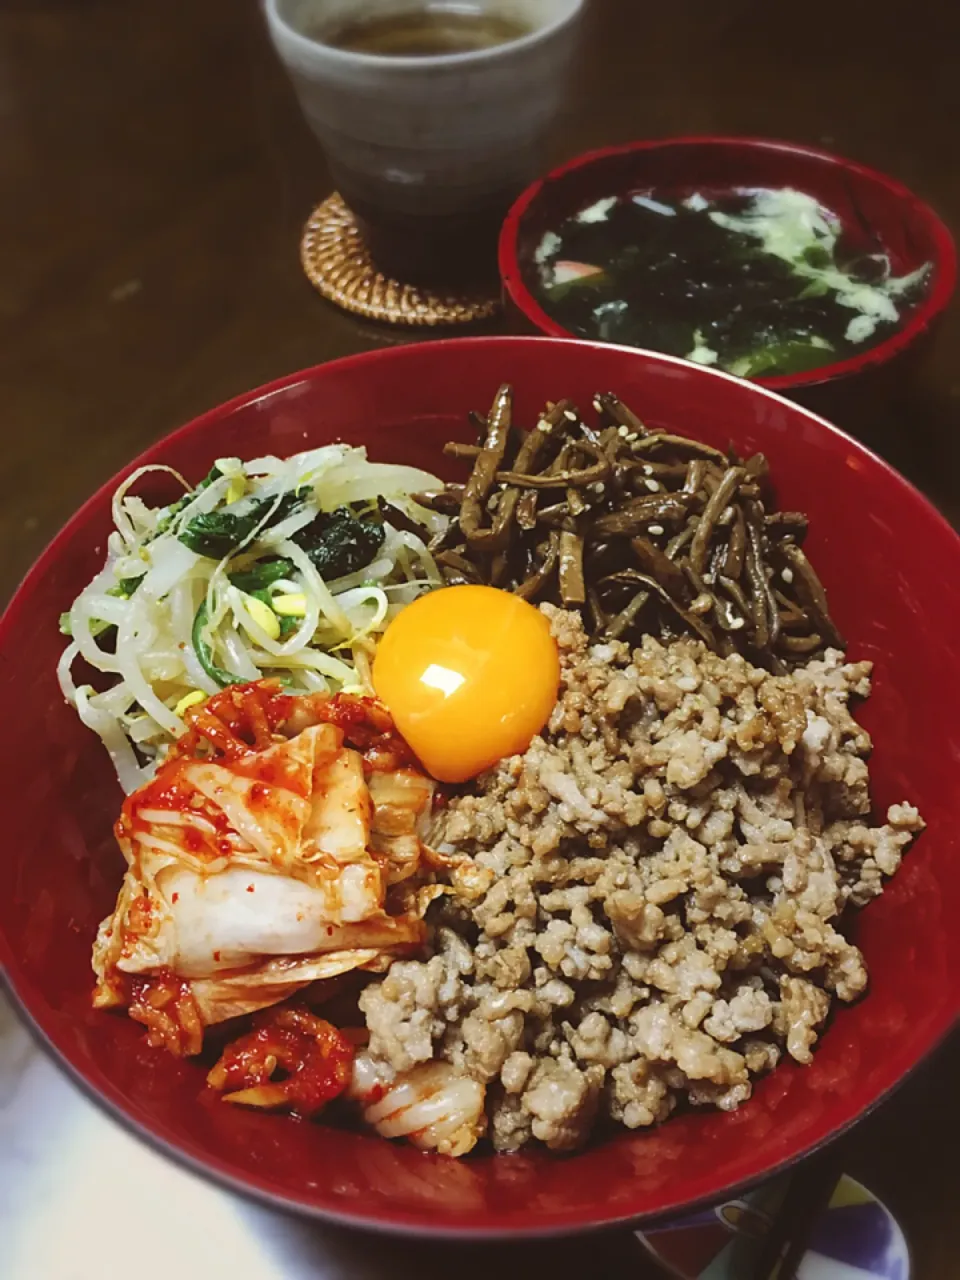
column 893, row 568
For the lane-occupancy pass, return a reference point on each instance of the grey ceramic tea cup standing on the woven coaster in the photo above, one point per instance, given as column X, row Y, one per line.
column 429, row 149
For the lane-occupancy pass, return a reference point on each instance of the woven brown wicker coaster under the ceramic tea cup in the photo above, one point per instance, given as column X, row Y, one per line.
column 339, row 266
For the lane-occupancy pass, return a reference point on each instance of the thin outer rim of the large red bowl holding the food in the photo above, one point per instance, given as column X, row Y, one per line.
column 49, row 1035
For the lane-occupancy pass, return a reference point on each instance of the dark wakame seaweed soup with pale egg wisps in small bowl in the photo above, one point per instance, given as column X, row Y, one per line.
column 755, row 282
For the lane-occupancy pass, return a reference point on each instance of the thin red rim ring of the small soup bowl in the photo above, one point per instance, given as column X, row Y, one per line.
column 945, row 257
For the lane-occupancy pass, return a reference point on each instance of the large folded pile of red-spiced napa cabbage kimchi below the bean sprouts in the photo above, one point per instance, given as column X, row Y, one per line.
column 277, row 847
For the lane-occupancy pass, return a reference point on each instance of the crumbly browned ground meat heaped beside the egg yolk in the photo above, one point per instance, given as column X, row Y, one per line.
column 650, row 912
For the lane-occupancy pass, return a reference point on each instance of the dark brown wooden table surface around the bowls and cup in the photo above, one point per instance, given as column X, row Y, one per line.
column 154, row 177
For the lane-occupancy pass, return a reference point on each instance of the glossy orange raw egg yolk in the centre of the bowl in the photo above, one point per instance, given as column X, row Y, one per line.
column 470, row 675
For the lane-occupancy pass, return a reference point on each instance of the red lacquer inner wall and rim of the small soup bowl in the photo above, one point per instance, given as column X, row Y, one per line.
column 870, row 205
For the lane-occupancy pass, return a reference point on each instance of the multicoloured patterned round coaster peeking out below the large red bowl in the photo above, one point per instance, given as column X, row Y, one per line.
column 856, row 1238
